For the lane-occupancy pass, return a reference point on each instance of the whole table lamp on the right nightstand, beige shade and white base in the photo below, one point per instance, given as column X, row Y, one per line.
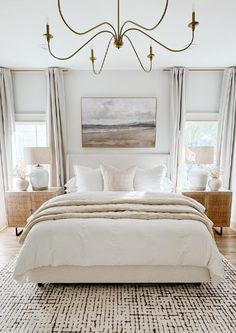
column 197, row 156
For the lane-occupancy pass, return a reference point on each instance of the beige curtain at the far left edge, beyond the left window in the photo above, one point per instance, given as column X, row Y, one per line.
column 6, row 138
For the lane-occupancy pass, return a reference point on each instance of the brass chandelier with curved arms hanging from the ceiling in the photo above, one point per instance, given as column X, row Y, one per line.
column 118, row 35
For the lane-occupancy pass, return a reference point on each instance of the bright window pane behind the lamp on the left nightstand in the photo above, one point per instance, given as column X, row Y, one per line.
column 29, row 135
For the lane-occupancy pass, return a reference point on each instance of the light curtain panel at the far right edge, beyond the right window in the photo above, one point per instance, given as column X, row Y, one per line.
column 227, row 126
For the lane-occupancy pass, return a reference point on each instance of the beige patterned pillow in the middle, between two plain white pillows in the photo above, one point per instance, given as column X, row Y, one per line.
column 116, row 179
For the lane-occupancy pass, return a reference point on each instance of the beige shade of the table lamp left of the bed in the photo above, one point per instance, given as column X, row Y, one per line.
column 37, row 155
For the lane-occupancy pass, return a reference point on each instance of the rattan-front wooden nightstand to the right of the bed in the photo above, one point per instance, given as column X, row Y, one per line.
column 218, row 205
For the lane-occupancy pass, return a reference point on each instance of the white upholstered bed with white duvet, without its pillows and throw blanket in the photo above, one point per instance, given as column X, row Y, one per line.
column 108, row 251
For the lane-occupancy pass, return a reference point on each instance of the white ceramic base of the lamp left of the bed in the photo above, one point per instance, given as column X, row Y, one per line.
column 39, row 178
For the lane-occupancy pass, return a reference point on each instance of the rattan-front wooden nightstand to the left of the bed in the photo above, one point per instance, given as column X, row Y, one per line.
column 22, row 204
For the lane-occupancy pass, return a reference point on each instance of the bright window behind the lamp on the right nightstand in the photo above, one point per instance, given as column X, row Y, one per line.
column 200, row 131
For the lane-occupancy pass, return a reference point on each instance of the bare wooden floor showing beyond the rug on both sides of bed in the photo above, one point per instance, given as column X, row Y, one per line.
column 9, row 245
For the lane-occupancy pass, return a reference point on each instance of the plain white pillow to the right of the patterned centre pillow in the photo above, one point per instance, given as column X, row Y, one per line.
column 150, row 180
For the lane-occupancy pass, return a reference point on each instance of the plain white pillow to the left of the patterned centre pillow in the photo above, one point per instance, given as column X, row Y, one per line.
column 88, row 179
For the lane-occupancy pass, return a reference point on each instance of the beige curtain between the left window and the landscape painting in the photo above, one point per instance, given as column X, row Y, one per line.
column 56, row 123
